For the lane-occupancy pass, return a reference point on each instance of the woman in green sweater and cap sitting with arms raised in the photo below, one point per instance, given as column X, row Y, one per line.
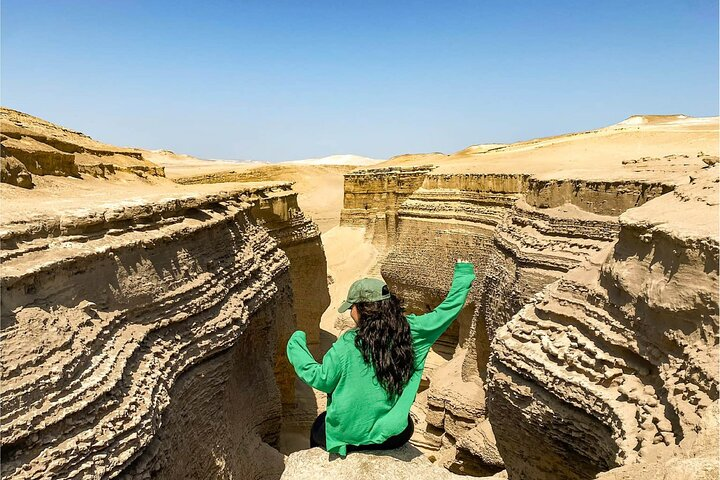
column 372, row 373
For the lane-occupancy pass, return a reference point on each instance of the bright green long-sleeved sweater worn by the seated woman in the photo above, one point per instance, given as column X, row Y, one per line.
column 360, row 412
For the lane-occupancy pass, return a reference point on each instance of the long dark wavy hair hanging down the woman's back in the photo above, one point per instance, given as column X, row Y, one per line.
column 384, row 339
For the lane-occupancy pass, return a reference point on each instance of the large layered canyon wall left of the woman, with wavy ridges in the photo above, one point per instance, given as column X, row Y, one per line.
column 146, row 338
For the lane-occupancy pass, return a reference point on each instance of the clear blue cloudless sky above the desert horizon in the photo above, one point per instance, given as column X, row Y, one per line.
column 280, row 80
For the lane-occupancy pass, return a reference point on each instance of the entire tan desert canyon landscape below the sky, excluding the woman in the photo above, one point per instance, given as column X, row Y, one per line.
column 144, row 317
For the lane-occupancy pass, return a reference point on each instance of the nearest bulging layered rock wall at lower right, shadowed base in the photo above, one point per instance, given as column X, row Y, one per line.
column 619, row 358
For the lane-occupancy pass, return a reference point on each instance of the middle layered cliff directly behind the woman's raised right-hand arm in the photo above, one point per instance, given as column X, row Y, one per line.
column 517, row 247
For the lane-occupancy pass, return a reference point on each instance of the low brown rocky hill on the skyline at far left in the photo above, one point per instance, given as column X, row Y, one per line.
column 32, row 146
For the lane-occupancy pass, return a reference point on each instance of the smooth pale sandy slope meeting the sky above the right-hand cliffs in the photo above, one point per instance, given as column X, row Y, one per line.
column 633, row 149
